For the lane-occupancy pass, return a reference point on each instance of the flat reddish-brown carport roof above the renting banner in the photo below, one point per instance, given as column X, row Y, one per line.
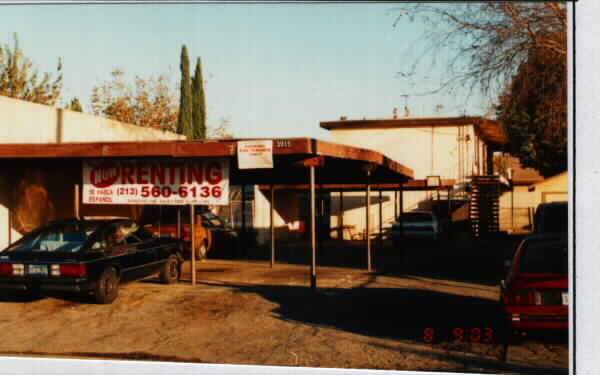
column 337, row 163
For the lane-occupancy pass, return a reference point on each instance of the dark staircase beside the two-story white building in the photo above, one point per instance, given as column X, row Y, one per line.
column 484, row 205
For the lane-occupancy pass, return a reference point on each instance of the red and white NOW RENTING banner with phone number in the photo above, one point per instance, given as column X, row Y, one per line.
column 165, row 182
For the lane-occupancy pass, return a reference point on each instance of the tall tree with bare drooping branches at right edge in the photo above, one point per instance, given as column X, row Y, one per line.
column 516, row 49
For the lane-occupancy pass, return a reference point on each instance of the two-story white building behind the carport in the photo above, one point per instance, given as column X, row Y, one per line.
column 452, row 148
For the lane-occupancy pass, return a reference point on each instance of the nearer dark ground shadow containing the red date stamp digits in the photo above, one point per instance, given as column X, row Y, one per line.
column 461, row 329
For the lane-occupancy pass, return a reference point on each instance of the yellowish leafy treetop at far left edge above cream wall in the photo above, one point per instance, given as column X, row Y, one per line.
column 17, row 80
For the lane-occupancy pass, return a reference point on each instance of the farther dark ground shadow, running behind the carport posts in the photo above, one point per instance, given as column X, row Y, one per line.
column 475, row 261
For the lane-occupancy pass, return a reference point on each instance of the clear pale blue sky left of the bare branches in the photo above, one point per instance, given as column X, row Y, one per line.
column 272, row 70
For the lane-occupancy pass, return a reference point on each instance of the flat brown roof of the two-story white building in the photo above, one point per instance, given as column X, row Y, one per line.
column 492, row 131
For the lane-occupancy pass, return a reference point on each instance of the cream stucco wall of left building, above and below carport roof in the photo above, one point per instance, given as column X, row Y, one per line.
column 24, row 122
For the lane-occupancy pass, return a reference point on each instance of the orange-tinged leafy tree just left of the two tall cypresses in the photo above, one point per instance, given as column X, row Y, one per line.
column 148, row 102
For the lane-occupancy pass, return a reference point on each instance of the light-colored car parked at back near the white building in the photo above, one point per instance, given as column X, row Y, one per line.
column 416, row 225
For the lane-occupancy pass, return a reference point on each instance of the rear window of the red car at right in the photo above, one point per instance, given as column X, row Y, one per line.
column 544, row 257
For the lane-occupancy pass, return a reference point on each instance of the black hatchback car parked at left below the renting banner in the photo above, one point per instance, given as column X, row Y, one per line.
column 88, row 256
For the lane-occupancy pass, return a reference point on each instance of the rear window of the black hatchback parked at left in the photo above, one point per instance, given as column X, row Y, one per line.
column 66, row 237
